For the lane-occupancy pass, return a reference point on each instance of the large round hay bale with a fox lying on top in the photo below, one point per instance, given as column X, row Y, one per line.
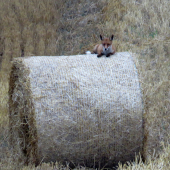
column 79, row 109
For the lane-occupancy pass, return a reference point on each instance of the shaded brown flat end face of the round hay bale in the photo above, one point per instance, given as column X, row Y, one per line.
column 23, row 133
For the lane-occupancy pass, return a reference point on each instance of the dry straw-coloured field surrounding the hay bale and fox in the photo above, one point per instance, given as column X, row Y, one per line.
column 67, row 27
